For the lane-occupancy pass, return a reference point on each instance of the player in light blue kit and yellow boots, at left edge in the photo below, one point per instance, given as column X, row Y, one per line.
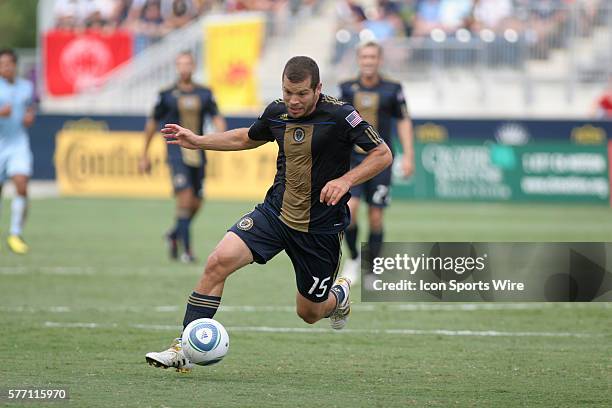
column 17, row 112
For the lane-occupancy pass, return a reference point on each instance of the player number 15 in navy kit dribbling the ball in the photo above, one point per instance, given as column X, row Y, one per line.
column 304, row 212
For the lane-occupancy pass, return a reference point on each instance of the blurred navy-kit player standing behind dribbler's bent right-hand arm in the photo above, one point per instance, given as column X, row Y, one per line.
column 378, row 100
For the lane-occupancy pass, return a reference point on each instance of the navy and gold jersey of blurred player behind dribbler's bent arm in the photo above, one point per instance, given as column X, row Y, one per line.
column 378, row 105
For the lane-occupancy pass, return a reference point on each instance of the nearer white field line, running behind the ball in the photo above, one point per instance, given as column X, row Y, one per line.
column 266, row 329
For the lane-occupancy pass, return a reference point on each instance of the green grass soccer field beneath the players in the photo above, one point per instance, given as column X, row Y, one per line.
column 97, row 292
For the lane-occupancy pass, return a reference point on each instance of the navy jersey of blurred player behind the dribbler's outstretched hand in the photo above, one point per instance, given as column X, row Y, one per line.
column 187, row 109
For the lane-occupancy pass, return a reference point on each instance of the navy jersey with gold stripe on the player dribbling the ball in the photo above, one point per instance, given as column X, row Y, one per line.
column 312, row 151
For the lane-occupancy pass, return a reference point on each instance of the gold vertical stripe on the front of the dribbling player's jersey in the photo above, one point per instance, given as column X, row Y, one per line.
column 295, row 210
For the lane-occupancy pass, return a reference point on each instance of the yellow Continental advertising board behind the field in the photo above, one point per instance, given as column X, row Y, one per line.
column 105, row 163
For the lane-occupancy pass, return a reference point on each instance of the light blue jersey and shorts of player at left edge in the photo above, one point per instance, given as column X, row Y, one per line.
column 15, row 154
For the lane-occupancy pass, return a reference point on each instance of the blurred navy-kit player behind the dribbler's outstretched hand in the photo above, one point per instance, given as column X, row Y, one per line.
column 186, row 103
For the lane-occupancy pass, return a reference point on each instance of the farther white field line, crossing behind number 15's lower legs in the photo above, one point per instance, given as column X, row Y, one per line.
column 359, row 307
